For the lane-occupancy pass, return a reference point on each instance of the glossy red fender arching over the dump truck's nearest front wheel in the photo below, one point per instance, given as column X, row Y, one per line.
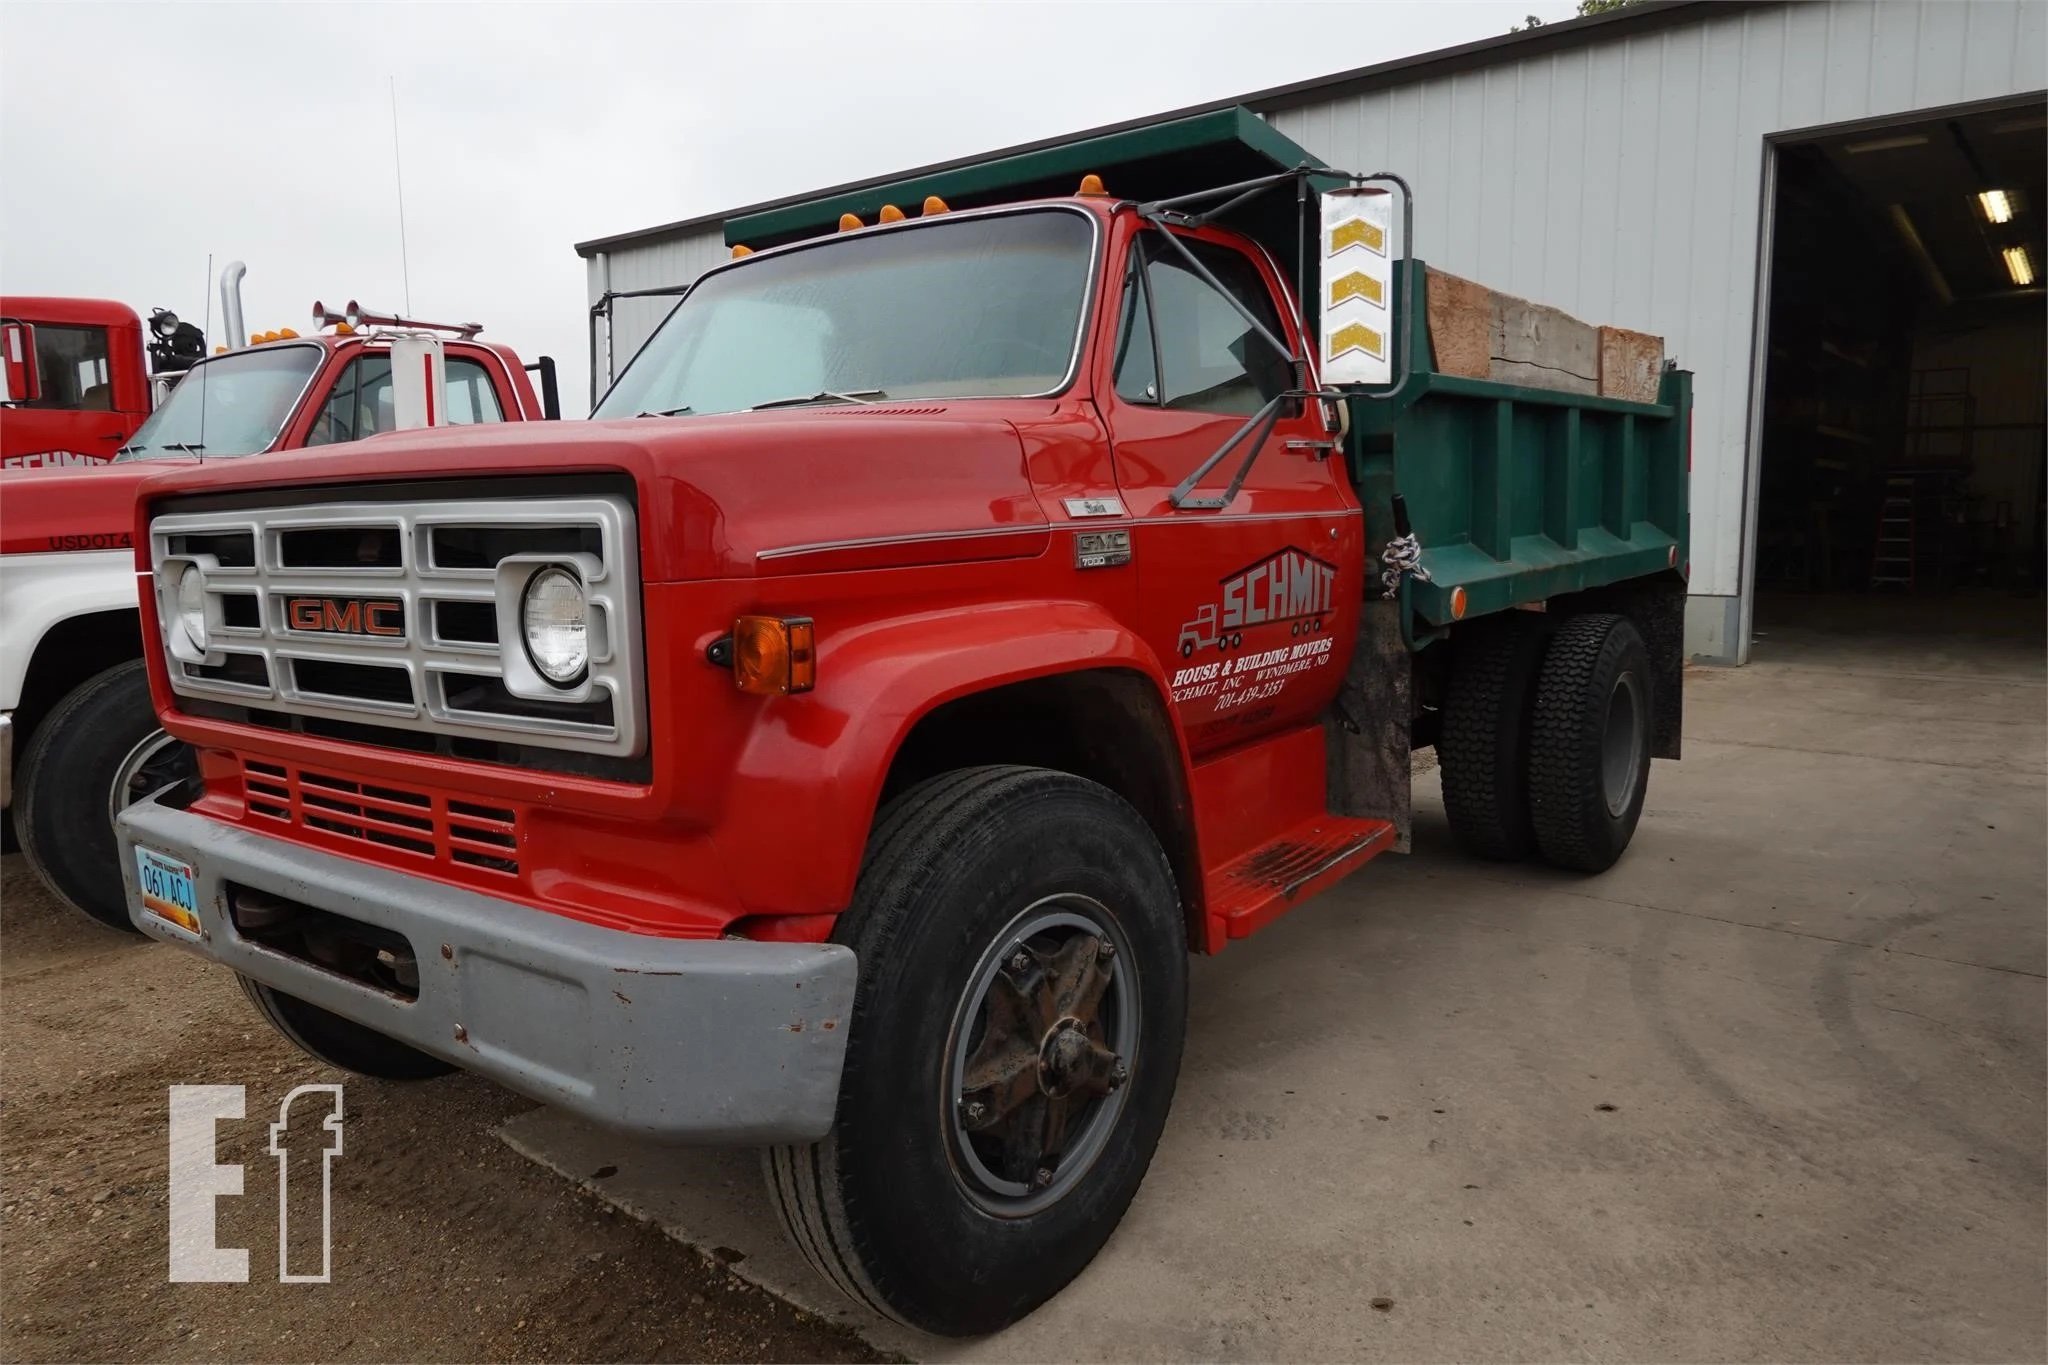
column 808, row 781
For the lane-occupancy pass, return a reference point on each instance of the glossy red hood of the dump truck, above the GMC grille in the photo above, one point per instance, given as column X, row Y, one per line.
column 716, row 494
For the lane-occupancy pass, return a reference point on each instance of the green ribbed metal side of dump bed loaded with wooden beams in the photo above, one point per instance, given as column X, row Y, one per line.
column 1521, row 494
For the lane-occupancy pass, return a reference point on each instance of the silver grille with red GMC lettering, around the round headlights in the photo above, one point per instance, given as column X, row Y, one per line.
column 407, row 615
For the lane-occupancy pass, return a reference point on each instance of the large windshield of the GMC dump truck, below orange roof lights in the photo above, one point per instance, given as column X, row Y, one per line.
column 966, row 308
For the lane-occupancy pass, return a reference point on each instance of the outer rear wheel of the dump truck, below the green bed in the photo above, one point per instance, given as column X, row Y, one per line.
column 1590, row 754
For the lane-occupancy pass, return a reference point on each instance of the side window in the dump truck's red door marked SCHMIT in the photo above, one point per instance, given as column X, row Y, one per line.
column 1185, row 347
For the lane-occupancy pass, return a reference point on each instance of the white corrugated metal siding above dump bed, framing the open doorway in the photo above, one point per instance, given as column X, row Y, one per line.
column 1623, row 181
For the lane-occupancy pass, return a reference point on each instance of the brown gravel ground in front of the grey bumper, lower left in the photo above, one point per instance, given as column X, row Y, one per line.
column 447, row 1245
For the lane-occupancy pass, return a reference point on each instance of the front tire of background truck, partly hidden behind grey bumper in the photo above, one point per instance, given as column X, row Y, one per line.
column 95, row 754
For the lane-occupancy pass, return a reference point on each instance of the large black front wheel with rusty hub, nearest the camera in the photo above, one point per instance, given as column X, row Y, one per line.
column 986, row 1149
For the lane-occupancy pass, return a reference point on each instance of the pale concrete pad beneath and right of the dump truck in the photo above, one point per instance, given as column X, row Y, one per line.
column 1770, row 1090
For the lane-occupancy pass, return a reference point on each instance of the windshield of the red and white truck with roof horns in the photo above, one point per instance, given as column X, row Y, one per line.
column 234, row 404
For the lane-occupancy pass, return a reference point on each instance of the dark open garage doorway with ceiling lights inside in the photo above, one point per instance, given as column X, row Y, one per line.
column 1902, row 453
